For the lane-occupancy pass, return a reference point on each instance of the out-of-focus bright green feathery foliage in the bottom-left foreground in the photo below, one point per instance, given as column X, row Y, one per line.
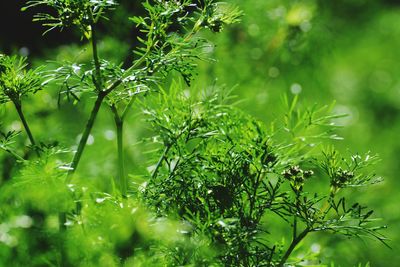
column 105, row 231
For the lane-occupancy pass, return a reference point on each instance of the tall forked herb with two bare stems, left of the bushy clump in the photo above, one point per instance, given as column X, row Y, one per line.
column 163, row 49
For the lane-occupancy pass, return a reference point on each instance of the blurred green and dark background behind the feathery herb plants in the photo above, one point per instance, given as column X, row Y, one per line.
column 344, row 50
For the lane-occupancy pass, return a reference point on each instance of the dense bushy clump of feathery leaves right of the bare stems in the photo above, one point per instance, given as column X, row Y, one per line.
column 226, row 174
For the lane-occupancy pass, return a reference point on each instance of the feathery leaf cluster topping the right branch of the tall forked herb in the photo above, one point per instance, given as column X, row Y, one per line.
column 169, row 29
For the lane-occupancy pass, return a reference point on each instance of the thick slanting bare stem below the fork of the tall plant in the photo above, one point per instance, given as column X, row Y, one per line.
column 85, row 135
